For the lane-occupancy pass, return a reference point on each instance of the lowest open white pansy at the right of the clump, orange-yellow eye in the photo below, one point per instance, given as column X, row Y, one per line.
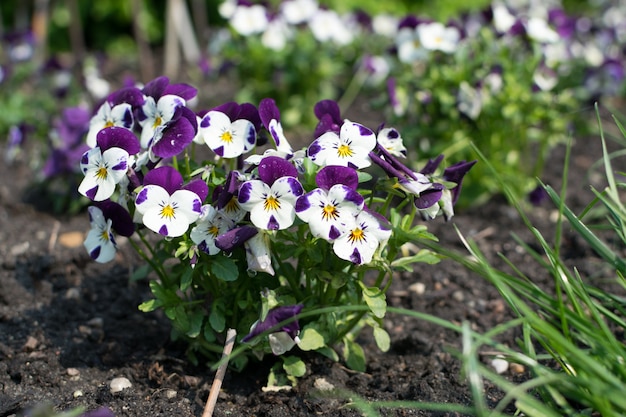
column 362, row 238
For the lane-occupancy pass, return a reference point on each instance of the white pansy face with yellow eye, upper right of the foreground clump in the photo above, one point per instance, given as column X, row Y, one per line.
column 351, row 147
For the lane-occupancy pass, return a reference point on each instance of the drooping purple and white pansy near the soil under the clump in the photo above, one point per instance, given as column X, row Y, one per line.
column 286, row 336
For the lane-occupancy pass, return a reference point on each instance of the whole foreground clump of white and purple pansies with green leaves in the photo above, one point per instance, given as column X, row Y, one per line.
column 288, row 230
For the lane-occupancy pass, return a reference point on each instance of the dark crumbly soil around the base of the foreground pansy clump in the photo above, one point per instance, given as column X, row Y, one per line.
column 68, row 326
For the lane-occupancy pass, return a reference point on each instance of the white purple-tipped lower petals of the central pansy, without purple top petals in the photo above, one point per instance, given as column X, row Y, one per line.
column 271, row 207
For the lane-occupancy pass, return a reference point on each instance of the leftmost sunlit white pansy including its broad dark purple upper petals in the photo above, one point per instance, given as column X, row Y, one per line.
column 105, row 165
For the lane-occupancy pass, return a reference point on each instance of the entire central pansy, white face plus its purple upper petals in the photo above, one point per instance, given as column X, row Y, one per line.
column 271, row 200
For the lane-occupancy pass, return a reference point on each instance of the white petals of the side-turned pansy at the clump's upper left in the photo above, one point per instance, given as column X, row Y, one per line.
column 153, row 115
